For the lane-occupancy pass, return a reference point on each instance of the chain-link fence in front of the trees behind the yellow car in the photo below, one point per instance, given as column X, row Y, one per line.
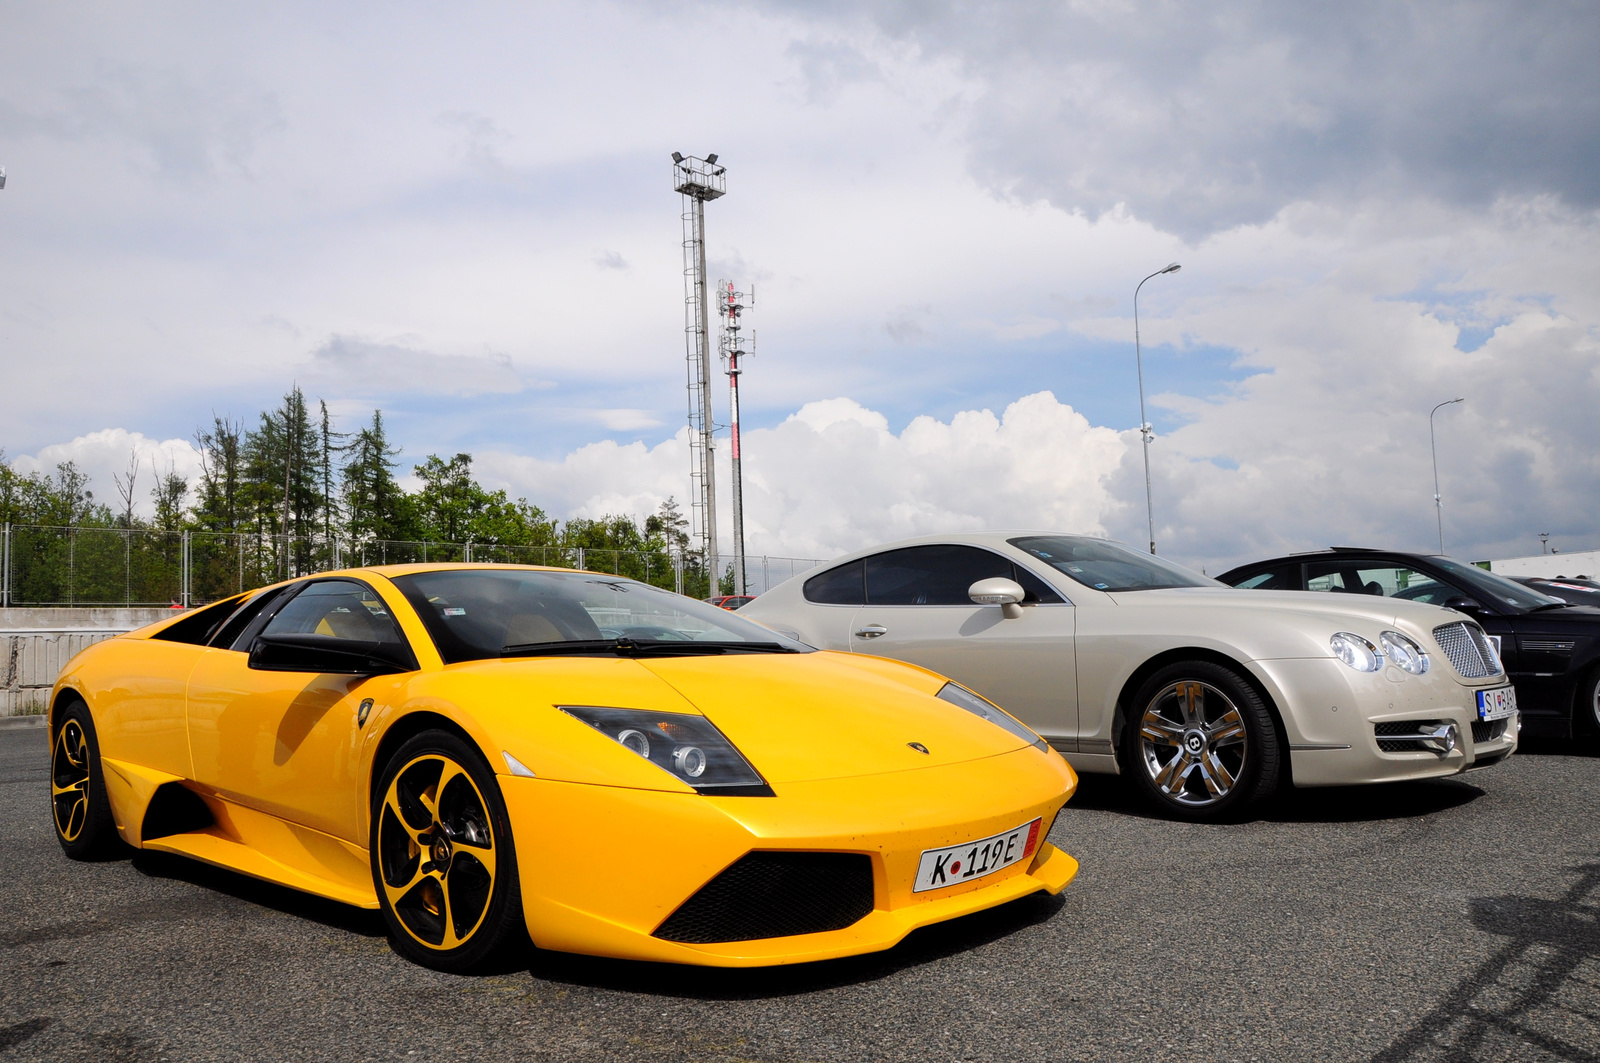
column 55, row 566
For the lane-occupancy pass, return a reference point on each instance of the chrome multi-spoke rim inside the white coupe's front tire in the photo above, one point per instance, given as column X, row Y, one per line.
column 1193, row 744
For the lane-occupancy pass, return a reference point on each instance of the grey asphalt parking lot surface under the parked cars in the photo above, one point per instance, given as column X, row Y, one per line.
column 1457, row 920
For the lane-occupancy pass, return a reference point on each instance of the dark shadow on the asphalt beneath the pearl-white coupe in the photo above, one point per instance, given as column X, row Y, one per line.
column 1322, row 804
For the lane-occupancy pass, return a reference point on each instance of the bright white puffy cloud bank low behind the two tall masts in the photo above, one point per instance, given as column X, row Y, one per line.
column 834, row 478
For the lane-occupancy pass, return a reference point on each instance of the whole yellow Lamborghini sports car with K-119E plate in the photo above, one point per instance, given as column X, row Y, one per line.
column 620, row 771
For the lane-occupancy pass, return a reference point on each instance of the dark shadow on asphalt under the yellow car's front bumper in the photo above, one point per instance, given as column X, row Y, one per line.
column 751, row 984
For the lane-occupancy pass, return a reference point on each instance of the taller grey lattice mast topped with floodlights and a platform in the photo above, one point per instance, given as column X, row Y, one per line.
column 700, row 180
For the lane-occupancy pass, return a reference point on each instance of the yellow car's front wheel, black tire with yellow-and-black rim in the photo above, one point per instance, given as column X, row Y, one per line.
column 442, row 857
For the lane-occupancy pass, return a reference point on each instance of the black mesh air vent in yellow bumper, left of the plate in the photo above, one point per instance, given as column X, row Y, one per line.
column 775, row 896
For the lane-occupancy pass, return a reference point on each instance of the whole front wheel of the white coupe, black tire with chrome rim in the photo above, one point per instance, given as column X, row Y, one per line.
column 1199, row 744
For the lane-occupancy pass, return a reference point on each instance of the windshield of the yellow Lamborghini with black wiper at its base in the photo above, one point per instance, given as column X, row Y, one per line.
column 478, row 614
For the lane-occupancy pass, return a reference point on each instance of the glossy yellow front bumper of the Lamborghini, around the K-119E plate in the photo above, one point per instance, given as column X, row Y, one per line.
column 602, row 867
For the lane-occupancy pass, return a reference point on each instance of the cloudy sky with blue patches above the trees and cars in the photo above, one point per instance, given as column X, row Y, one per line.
column 465, row 215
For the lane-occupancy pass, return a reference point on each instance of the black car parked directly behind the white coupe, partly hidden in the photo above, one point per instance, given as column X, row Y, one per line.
column 1551, row 649
